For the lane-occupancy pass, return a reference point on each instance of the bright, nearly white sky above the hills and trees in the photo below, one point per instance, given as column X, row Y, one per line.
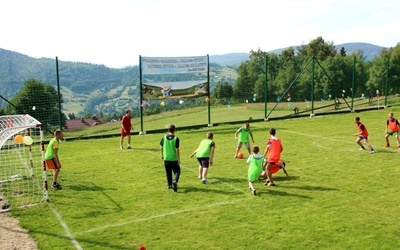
column 116, row 32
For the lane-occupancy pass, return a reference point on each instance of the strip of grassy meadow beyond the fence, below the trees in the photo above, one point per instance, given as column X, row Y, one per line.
column 223, row 114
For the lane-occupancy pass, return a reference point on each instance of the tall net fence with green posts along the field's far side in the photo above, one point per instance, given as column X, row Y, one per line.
column 73, row 96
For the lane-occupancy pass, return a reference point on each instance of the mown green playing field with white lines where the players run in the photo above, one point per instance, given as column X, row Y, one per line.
column 336, row 197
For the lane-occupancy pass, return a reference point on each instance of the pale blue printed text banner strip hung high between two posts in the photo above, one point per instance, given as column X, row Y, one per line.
column 174, row 65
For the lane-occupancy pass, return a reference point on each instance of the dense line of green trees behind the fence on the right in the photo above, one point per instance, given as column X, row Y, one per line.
column 333, row 74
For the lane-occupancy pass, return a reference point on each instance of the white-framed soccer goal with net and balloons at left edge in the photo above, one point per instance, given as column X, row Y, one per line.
column 22, row 169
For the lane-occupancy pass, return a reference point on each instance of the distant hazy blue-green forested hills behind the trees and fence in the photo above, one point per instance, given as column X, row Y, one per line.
column 84, row 84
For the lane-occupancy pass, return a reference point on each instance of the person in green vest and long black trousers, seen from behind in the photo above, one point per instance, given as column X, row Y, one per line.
column 170, row 154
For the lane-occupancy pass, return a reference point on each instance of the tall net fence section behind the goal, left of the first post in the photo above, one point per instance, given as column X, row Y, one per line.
column 30, row 87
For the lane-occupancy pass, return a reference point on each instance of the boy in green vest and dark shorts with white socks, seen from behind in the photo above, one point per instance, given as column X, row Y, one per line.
column 205, row 154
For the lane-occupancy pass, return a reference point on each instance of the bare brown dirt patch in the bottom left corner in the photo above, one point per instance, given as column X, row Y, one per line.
column 12, row 236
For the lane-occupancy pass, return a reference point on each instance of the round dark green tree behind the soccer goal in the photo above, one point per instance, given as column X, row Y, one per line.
column 40, row 100
